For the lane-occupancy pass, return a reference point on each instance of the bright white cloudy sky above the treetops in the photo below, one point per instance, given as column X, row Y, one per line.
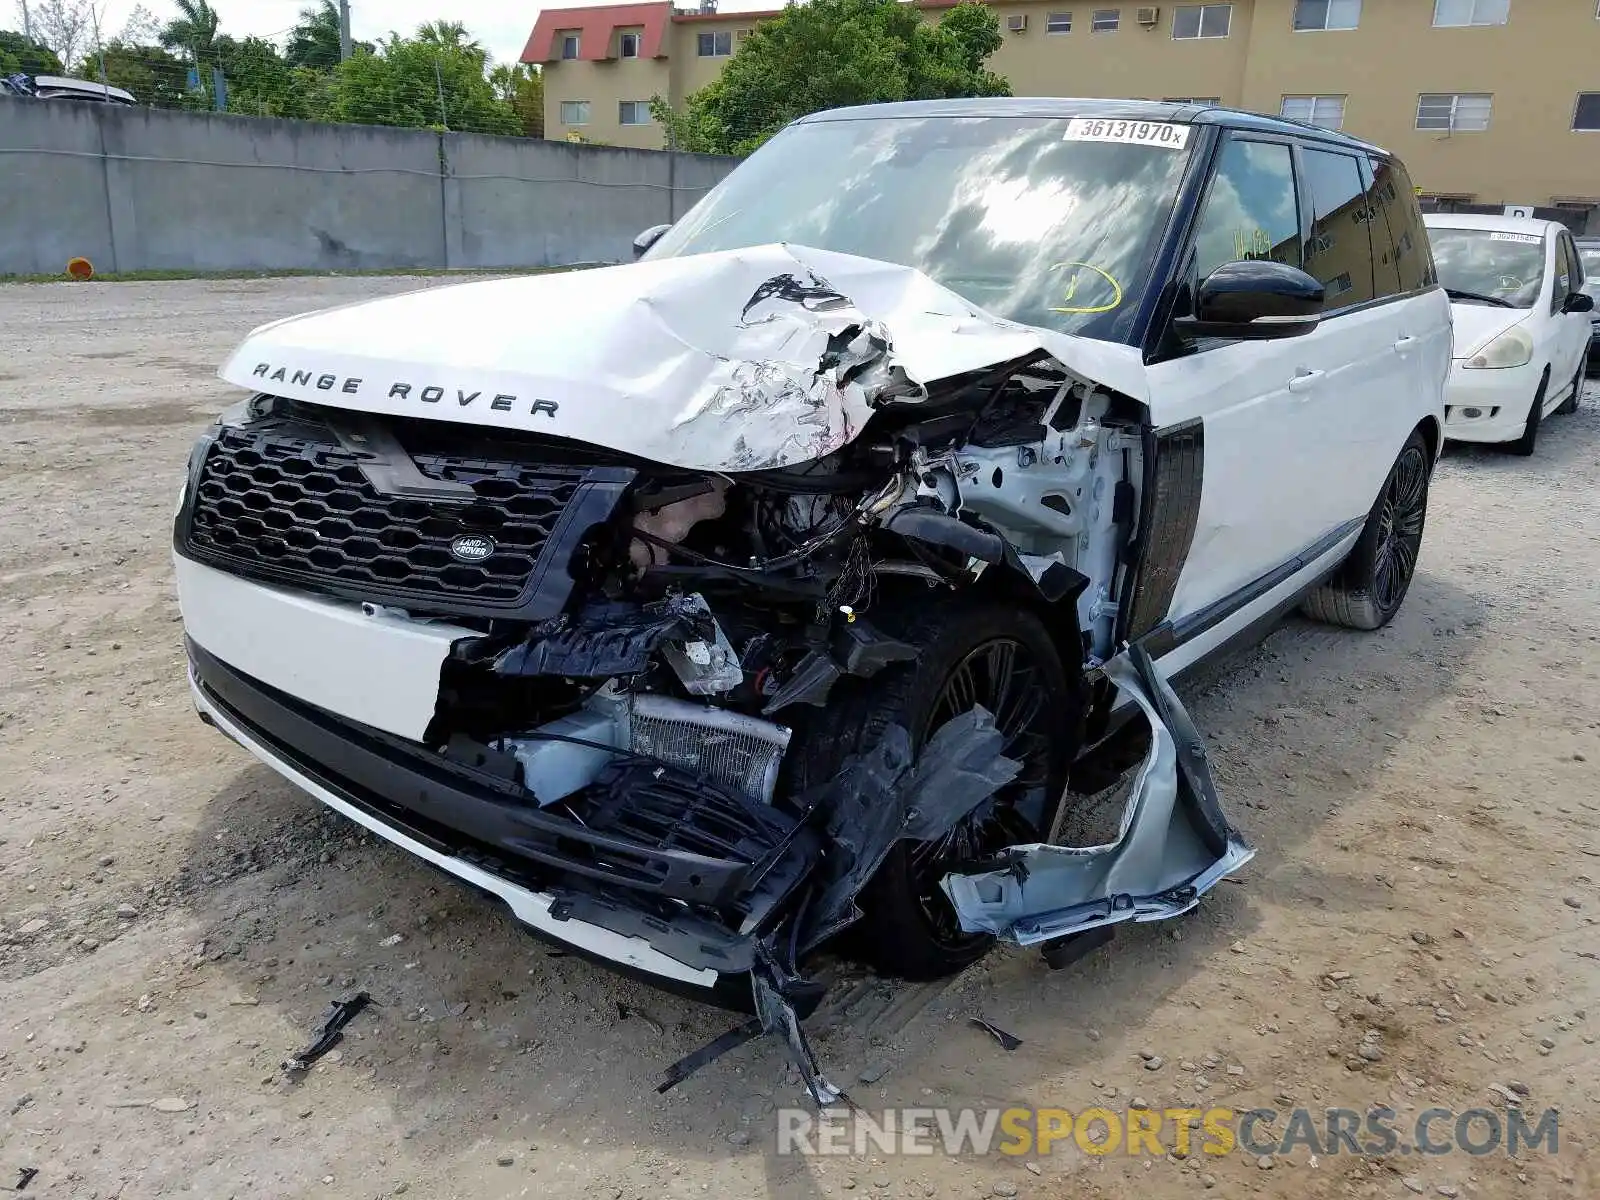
column 502, row 26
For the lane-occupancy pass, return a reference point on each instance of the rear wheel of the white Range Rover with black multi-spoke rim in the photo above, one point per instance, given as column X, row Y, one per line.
column 1372, row 585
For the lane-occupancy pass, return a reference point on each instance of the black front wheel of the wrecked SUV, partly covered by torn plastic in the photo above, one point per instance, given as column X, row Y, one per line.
column 908, row 927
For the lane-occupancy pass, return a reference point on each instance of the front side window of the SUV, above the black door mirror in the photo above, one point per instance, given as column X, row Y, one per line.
column 1250, row 210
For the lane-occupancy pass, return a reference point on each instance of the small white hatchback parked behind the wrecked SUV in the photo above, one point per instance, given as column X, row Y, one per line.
column 1522, row 326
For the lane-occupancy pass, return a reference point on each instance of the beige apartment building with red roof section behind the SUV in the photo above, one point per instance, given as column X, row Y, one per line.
column 1489, row 102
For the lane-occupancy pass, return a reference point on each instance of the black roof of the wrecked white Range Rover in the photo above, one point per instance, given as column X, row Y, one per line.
column 1074, row 106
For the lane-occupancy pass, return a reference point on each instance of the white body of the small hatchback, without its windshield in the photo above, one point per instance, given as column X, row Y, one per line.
column 1492, row 402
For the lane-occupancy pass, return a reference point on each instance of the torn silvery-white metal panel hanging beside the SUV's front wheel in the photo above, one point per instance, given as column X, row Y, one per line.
column 1174, row 842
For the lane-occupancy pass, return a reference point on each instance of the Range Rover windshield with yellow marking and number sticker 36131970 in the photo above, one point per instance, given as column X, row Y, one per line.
column 1006, row 212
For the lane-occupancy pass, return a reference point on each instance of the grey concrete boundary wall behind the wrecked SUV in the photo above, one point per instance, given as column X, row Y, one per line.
column 145, row 190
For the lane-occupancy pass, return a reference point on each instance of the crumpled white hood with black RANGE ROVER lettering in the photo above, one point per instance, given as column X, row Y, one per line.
column 738, row 361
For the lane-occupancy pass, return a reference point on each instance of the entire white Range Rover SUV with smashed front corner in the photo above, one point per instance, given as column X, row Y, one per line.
column 706, row 606
